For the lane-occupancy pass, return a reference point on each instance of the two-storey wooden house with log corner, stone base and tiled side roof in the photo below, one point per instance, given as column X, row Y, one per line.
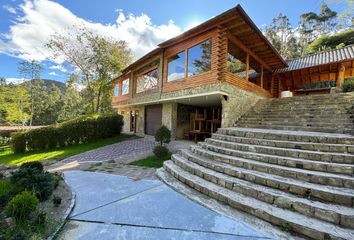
column 212, row 74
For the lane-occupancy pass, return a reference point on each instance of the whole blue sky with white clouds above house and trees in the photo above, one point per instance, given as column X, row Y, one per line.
column 26, row 25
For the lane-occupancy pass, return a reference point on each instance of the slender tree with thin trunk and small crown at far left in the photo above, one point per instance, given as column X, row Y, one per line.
column 31, row 70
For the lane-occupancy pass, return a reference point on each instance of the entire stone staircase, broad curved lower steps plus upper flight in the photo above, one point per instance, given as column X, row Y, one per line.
column 299, row 181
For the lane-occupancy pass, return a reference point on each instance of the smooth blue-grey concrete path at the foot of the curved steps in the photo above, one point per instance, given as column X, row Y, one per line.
column 116, row 207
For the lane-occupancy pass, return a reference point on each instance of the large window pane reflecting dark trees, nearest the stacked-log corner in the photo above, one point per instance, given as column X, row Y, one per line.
column 199, row 58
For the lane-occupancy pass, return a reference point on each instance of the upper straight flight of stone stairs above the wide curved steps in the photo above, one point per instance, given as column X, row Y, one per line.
column 330, row 113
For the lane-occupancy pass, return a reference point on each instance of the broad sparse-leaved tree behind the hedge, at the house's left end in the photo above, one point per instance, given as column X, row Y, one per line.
column 97, row 60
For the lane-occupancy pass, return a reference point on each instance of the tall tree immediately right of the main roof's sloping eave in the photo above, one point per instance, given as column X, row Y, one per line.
column 281, row 35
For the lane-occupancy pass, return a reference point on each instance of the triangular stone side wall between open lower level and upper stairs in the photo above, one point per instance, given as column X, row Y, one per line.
column 237, row 104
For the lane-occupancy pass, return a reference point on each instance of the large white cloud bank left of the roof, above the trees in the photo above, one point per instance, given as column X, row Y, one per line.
column 39, row 19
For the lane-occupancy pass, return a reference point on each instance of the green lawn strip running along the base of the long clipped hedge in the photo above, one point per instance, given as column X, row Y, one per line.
column 8, row 157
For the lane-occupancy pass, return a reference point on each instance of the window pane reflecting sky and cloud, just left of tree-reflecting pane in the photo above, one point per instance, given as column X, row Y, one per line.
column 176, row 67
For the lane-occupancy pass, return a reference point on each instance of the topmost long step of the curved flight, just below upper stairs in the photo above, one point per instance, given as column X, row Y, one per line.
column 298, row 136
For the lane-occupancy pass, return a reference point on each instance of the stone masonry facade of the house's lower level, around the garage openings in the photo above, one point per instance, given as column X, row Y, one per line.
column 237, row 104
